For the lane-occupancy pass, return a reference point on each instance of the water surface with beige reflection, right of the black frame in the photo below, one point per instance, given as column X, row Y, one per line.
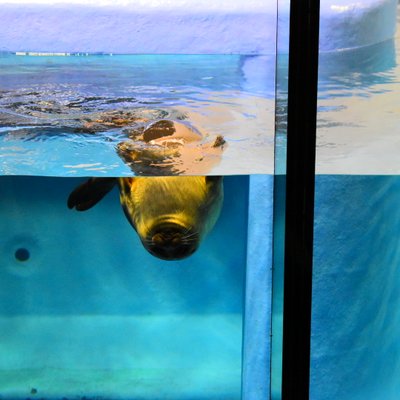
column 358, row 113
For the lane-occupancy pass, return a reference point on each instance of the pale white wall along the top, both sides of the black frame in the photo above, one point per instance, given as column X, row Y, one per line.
column 184, row 26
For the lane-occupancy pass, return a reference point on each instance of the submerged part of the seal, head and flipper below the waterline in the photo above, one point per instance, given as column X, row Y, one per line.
column 170, row 214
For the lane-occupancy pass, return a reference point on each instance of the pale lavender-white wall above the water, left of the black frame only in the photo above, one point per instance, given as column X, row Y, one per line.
column 185, row 26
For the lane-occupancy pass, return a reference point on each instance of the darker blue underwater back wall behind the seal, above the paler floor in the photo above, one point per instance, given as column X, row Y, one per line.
column 93, row 261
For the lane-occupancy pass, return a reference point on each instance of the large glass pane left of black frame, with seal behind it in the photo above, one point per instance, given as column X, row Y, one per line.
column 98, row 100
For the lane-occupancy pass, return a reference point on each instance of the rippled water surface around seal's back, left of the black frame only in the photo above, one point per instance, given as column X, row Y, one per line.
column 45, row 102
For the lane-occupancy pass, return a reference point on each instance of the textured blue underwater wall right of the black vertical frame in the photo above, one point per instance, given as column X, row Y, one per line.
column 356, row 280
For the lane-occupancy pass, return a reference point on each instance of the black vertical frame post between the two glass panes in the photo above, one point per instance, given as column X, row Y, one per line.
column 300, row 177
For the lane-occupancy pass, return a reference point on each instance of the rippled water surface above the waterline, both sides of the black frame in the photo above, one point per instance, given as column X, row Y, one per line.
column 225, row 95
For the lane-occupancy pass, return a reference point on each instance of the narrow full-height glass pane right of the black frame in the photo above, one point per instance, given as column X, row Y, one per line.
column 355, row 352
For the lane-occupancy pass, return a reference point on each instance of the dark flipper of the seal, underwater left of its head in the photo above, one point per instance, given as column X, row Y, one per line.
column 88, row 194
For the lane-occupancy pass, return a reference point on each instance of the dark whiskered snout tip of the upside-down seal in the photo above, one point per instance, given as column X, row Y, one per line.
column 171, row 241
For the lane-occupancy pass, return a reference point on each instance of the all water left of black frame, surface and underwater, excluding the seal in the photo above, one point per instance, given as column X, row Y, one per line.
column 85, row 310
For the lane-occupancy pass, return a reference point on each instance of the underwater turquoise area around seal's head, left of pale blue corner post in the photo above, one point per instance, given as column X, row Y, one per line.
column 86, row 312
